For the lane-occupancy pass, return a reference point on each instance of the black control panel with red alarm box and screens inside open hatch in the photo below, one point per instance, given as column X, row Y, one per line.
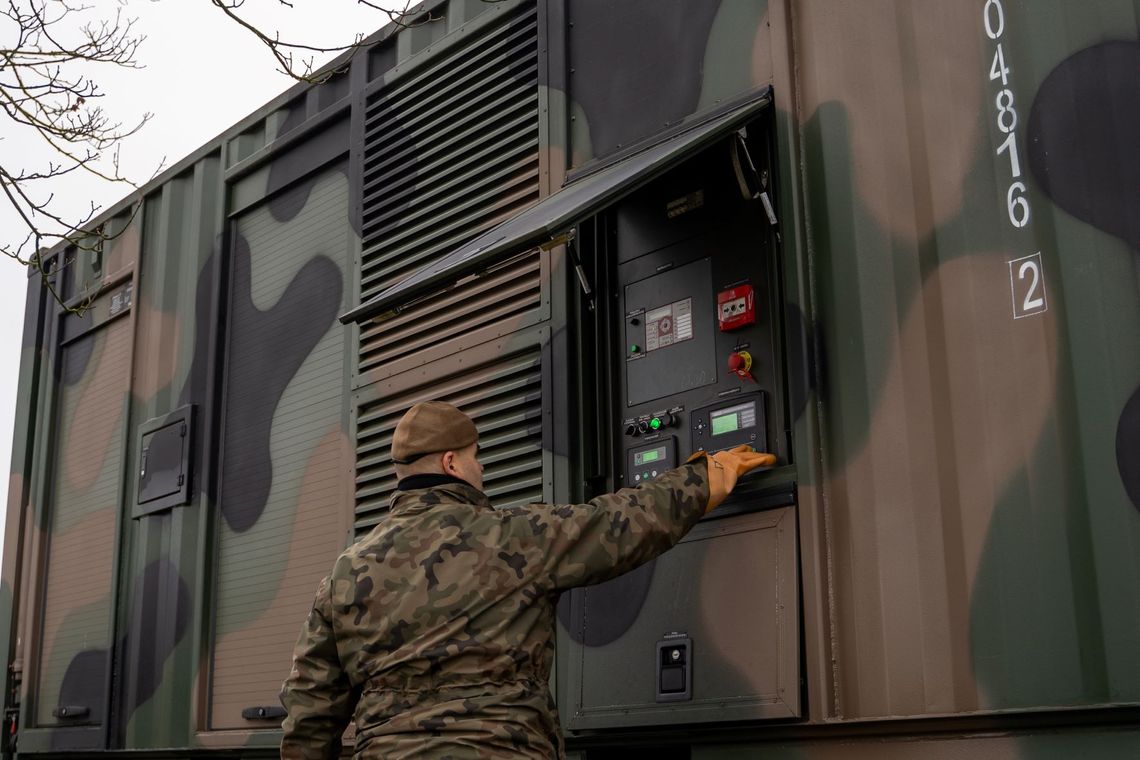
column 698, row 295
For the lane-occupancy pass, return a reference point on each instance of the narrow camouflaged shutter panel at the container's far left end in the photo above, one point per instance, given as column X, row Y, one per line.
column 77, row 617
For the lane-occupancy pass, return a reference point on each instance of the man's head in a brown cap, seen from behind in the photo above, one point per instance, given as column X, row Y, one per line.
column 436, row 438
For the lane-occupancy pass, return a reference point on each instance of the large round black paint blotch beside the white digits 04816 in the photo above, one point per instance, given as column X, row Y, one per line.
column 1082, row 134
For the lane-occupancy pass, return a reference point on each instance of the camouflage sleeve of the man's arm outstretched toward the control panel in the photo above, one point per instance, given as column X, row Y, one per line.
column 614, row 534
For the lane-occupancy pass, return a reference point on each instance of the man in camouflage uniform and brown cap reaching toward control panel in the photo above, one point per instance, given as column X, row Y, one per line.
column 437, row 630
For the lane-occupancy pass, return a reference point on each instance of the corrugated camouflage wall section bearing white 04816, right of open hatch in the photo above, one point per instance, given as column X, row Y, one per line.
column 984, row 552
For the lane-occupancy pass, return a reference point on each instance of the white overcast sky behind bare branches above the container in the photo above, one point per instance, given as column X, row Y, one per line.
column 203, row 73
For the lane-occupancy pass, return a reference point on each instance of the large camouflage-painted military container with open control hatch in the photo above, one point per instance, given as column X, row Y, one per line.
column 894, row 243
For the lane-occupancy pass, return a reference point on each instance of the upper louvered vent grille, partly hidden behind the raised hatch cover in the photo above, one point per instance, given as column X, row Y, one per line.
column 451, row 151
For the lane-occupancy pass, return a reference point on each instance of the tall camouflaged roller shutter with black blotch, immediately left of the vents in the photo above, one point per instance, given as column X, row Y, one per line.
column 271, row 561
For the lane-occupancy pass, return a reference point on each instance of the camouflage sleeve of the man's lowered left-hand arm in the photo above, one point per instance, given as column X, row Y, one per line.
column 317, row 697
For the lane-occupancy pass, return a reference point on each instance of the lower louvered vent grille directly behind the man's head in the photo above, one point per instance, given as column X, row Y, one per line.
column 503, row 397
